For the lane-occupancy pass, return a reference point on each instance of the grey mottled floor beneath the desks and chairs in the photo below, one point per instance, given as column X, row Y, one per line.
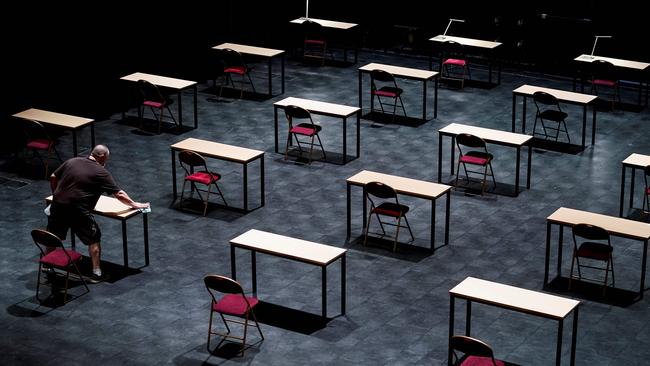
column 397, row 303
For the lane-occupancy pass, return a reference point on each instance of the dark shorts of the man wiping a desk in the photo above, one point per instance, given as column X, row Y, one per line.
column 82, row 222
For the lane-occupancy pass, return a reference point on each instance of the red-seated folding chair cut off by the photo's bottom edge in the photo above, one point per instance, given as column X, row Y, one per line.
column 475, row 352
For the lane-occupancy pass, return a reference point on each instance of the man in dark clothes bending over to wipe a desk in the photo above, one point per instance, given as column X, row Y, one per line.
column 76, row 186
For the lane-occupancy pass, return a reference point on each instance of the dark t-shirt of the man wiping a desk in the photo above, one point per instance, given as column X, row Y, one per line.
column 81, row 181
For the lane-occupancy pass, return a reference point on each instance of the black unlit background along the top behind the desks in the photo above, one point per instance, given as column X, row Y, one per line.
column 69, row 57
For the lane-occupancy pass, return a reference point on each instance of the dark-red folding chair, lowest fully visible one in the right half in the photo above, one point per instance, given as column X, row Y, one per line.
column 592, row 243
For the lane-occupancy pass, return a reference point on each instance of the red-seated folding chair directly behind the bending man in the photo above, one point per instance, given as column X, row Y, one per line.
column 54, row 256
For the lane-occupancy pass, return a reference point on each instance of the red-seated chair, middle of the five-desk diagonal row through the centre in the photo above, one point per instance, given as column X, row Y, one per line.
column 473, row 151
